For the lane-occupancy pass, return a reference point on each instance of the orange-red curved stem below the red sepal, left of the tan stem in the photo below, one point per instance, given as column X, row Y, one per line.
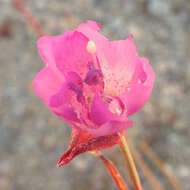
column 112, row 170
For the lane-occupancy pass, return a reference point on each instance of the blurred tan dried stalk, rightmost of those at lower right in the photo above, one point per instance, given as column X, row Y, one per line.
column 160, row 165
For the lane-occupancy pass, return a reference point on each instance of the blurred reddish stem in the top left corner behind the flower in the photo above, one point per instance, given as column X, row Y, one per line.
column 29, row 17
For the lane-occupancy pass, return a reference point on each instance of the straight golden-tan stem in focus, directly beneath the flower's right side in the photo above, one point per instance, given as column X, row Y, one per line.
column 130, row 164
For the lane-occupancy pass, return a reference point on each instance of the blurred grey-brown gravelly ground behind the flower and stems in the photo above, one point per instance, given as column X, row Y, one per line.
column 32, row 138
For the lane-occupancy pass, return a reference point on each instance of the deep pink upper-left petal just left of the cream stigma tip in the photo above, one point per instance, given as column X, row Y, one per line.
column 71, row 54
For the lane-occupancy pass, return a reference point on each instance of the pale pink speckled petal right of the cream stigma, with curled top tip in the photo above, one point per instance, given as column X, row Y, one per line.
column 118, row 59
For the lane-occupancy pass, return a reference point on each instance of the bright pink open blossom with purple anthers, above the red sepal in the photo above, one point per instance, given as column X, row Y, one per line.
column 92, row 83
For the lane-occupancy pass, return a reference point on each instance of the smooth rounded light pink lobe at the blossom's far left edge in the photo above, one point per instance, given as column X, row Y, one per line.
column 46, row 83
